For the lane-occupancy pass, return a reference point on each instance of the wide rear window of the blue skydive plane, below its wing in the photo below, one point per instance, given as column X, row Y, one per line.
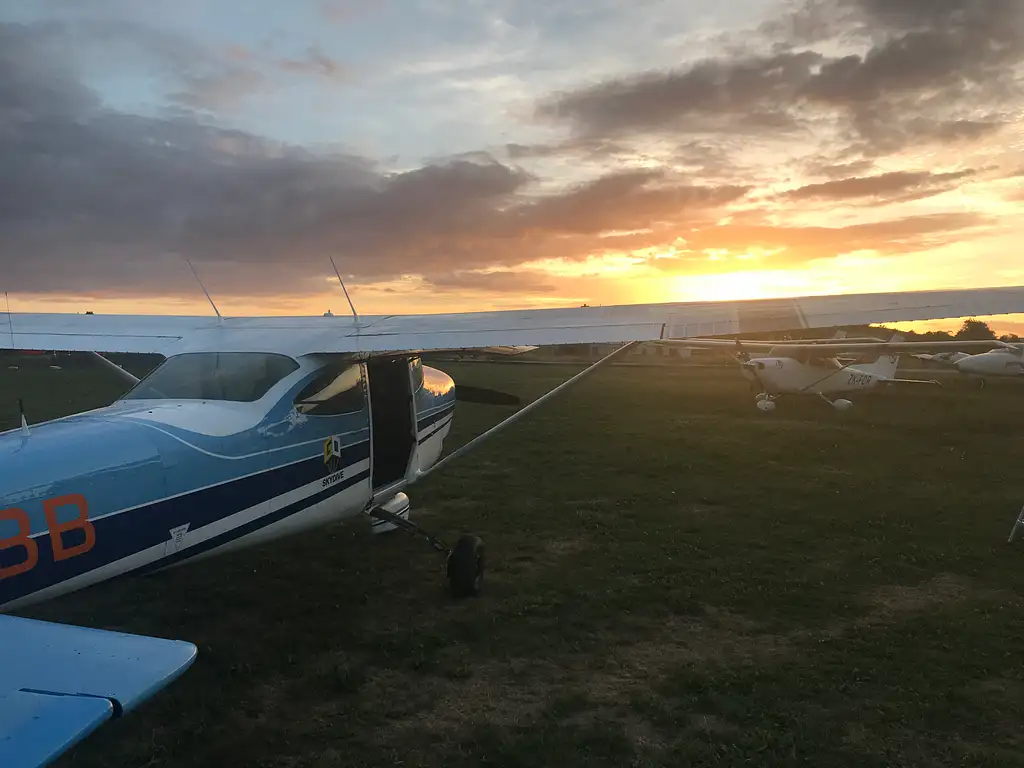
column 239, row 377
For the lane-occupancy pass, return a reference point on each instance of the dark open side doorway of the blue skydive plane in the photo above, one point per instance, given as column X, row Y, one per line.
column 393, row 420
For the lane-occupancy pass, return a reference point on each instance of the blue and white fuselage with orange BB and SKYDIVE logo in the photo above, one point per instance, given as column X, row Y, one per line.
column 209, row 455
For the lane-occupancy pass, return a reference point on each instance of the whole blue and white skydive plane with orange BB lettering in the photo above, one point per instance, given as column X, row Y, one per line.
column 254, row 429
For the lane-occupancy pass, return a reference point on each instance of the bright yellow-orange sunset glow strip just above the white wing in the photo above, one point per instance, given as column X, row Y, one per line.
column 669, row 274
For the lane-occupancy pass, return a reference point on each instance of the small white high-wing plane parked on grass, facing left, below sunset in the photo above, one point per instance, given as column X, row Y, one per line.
column 826, row 369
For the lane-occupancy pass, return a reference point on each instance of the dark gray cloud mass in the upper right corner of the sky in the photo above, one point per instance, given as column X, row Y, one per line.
column 924, row 73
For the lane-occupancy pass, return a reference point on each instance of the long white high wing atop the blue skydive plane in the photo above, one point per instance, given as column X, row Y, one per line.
column 169, row 335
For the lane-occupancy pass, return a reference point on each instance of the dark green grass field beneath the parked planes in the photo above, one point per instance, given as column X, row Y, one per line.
column 675, row 579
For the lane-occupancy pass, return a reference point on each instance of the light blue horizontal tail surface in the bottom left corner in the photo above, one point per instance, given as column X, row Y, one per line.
column 59, row 684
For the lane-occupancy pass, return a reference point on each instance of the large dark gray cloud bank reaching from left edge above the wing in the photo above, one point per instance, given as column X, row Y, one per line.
column 104, row 199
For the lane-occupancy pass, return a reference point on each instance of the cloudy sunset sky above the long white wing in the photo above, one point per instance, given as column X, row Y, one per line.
column 490, row 154
